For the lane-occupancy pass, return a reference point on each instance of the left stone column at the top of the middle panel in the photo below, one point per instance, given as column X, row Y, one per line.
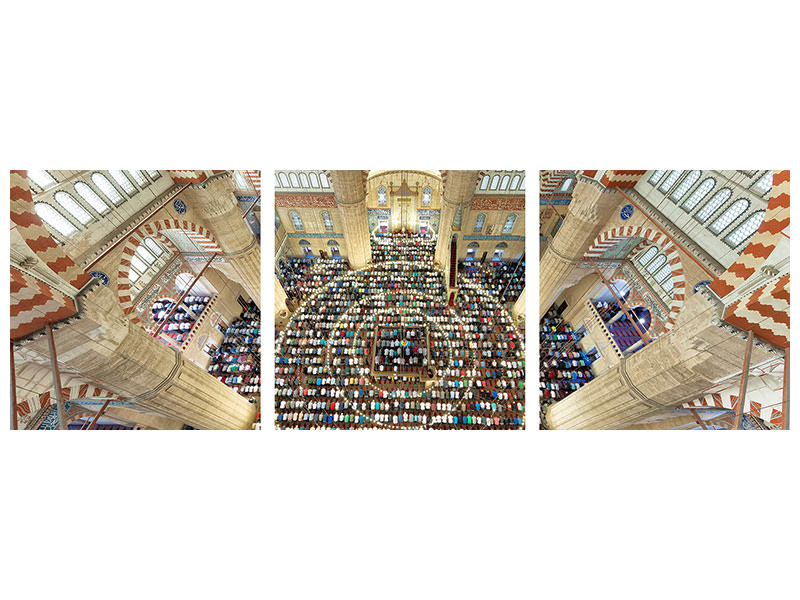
column 351, row 197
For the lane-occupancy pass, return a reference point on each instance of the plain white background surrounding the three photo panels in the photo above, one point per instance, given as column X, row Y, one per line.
column 376, row 514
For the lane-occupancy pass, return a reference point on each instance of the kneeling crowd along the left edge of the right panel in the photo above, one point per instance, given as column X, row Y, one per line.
column 564, row 366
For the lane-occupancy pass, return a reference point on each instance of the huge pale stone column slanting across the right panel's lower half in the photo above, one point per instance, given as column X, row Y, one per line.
column 679, row 366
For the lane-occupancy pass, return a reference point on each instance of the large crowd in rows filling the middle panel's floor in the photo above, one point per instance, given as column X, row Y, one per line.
column 380, row 348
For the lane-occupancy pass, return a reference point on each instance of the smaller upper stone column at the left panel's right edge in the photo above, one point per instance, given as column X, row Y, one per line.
column 223, row 217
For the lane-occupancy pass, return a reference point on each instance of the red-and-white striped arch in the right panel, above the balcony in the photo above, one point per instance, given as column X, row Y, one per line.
column 611, row 239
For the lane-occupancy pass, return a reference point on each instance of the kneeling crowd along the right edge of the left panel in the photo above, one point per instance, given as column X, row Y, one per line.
column 237, row 361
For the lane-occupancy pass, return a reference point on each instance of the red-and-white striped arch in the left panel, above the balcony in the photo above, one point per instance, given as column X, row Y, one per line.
column 156, row 229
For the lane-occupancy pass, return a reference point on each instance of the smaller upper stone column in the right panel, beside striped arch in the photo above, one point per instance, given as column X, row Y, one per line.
column 558, row 267
